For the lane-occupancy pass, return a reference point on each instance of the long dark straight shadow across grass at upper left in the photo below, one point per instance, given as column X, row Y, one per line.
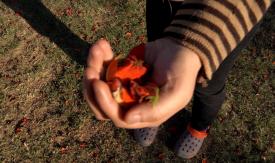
column 45, row 23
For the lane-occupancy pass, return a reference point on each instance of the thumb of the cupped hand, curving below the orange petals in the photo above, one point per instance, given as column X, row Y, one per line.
column 172, row 98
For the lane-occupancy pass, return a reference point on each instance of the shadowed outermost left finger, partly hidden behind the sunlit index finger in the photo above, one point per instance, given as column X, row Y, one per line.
column 90, row 75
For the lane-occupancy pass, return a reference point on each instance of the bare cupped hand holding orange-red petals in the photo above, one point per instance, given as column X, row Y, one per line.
column 175, row 70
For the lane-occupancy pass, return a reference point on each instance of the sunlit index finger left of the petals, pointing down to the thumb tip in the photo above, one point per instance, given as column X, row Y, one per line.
column 107, row 103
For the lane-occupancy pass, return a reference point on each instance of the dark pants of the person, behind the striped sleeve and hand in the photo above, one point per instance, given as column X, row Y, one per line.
column 207, row 100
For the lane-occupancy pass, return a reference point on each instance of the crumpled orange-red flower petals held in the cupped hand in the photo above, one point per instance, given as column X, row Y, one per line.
column 123, row 77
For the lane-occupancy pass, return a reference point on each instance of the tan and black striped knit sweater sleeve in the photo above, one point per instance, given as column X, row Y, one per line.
column 213, row 28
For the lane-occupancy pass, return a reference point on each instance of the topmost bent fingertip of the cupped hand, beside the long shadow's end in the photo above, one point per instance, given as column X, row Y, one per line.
column 99, row 53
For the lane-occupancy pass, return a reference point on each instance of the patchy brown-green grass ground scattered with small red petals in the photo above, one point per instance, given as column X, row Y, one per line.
column 43, row 117
